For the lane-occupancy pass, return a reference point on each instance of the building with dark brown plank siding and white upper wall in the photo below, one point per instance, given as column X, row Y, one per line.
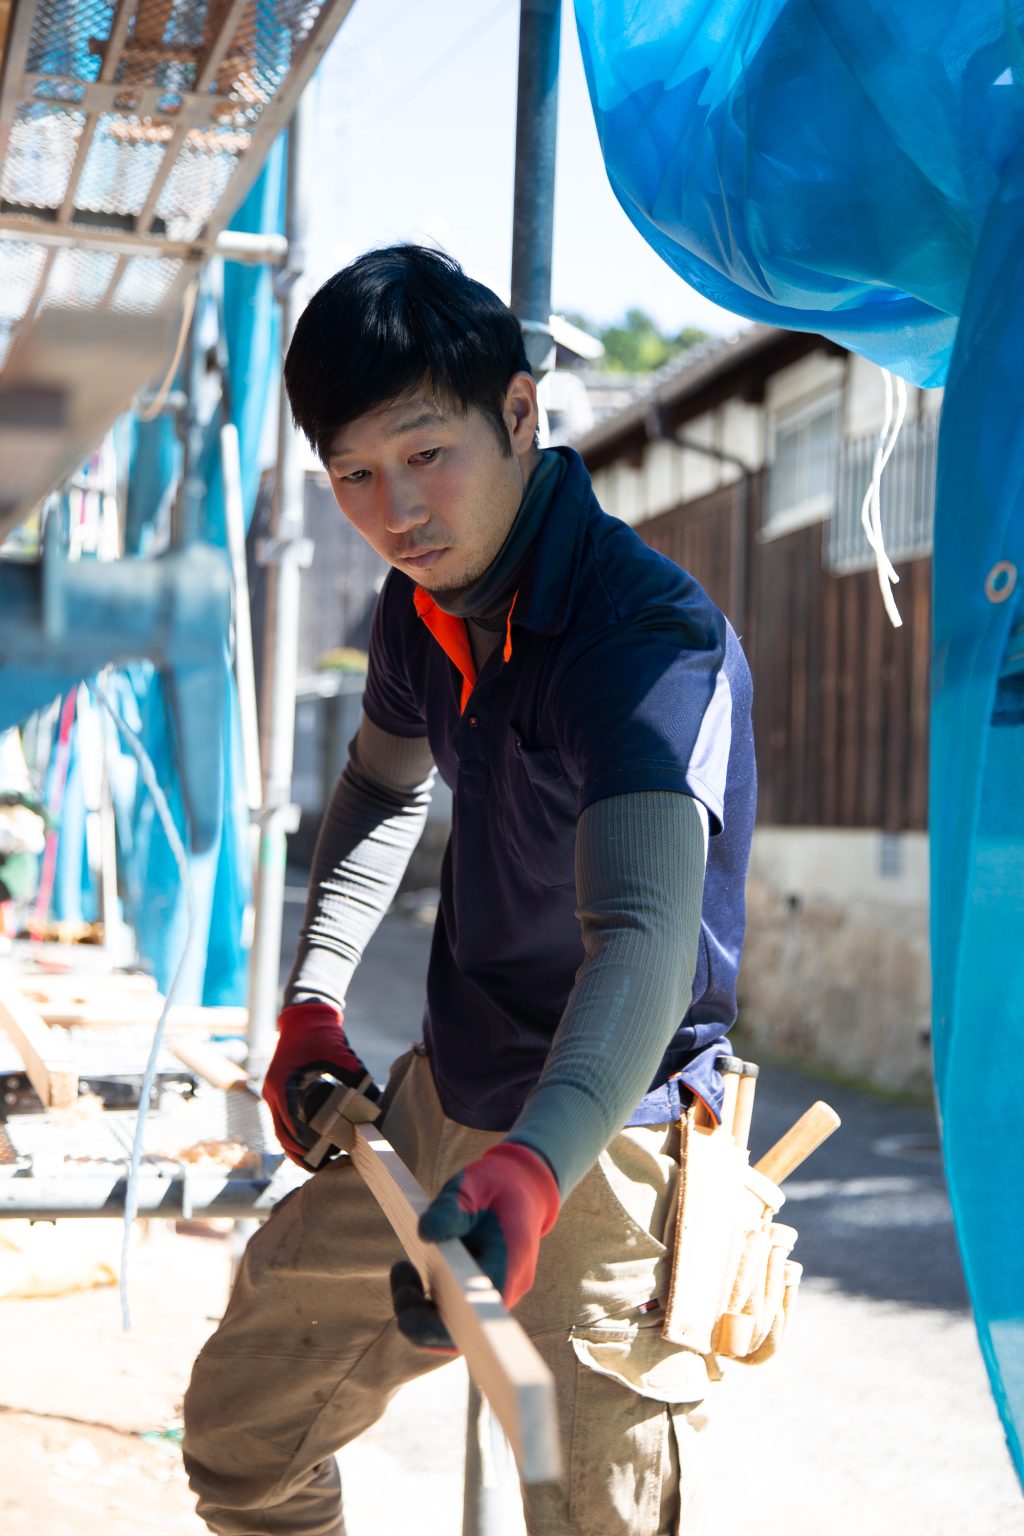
column 748, row 465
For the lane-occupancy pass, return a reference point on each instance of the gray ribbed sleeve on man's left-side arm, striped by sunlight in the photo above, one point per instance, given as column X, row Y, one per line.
column 371, row 829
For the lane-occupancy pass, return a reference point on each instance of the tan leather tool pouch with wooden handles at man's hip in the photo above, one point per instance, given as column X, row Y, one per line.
column 733, row 1283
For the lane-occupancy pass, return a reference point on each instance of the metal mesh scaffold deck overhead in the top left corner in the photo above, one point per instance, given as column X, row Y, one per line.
column 113, row 111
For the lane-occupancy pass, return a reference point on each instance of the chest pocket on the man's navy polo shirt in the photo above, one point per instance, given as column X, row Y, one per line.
column 537, row 813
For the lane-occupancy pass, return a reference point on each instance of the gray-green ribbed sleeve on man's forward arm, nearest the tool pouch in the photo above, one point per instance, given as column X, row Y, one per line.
column 639, row 879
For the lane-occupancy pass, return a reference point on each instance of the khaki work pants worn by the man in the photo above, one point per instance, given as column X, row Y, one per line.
column 309, row 1356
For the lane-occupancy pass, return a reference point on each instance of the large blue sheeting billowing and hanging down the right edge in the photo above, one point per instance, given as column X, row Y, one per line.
column 857, row 170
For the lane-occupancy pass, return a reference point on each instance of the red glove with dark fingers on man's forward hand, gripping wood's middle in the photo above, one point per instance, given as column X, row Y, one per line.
column 501, row 1207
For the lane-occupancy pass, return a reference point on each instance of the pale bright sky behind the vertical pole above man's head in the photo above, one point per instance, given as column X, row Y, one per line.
column 417, row 141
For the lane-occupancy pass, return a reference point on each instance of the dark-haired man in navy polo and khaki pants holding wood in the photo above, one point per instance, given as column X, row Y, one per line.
column 590, row 710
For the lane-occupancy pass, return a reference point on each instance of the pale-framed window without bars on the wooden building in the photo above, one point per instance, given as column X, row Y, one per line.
column 802, row 469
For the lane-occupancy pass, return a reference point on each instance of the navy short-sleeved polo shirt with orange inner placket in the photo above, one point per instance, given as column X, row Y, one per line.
column 618, row 675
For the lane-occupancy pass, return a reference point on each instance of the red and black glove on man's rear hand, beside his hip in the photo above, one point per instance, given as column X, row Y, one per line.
column 311, row 1041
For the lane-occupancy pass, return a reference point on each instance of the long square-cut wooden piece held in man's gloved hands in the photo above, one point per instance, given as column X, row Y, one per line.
column 500, row 1357
